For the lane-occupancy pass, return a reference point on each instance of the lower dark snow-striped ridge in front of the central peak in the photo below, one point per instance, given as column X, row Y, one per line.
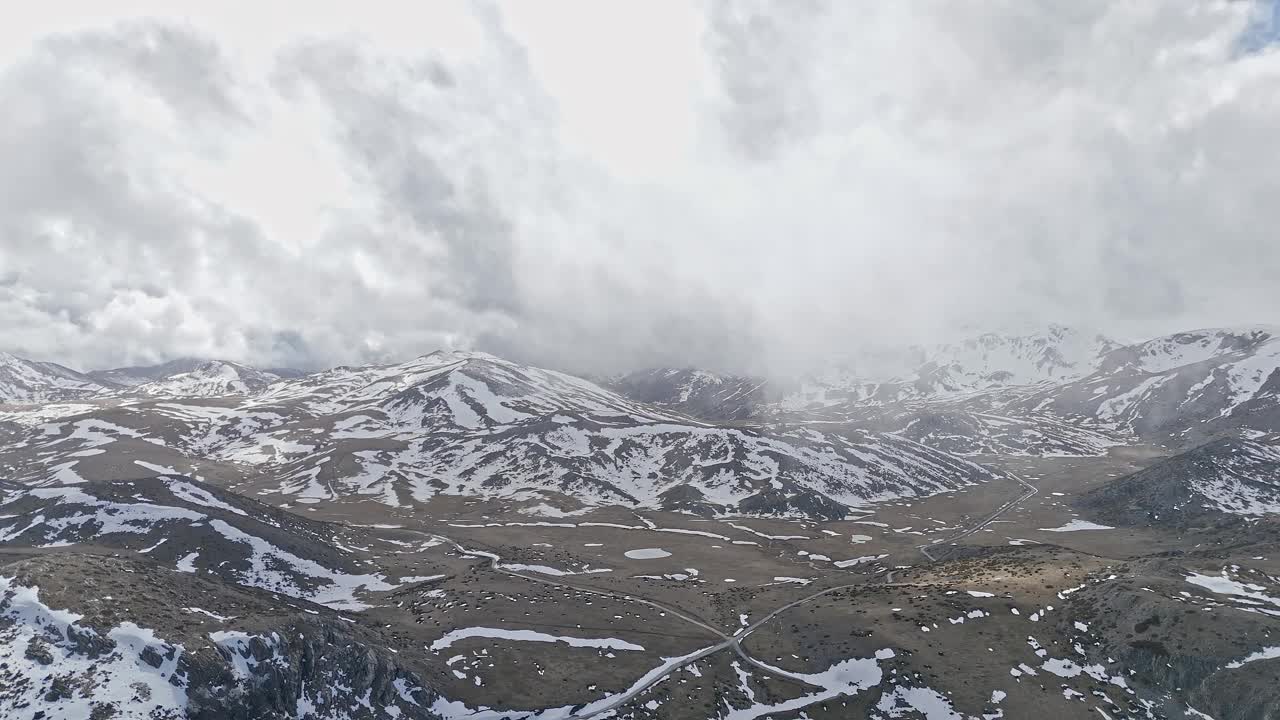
column 643, row 466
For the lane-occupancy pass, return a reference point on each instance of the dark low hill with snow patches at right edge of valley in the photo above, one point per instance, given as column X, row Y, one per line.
column 1226, row 479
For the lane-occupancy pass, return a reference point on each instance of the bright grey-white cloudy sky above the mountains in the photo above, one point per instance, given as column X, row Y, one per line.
column 601, row 186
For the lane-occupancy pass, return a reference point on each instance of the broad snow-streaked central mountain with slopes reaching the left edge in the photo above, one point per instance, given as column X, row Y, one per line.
column 469, row 423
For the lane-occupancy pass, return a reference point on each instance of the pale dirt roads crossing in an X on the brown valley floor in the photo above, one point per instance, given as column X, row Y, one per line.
column 728, row 641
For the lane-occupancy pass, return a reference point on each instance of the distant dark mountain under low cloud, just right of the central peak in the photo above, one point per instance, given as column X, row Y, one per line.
column 701, row 394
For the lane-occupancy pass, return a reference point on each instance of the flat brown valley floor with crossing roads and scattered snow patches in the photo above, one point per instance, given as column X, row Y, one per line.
column 749, row 618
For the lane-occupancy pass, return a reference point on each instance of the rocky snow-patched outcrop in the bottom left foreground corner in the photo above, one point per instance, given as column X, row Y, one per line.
column 240, row 654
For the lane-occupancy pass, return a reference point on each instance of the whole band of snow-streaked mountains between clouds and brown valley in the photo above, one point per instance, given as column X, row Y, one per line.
column 470, row 423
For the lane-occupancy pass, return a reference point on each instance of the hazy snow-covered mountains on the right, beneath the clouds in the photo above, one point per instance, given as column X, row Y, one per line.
column 1066, row 394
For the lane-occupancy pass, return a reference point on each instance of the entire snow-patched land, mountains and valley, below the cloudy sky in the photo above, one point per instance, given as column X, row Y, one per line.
column 1052, row 525
